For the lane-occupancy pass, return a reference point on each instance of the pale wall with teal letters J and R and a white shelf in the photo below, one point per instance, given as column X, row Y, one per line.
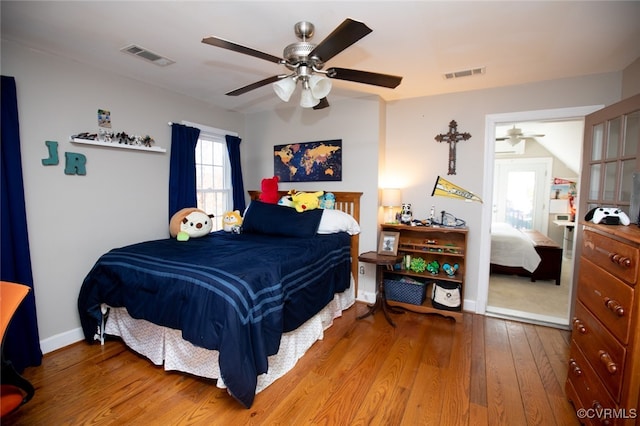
column 123, row 198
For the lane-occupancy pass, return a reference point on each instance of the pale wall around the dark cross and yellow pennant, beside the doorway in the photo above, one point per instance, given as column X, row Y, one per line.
column 416, row 159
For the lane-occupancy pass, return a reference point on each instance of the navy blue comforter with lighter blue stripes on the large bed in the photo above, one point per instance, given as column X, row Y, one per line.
column 235, row 293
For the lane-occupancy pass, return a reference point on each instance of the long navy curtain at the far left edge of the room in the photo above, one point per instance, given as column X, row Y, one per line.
column 22, row 343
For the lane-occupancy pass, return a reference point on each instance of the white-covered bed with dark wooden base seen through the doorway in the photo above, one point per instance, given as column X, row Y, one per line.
column 524, row 252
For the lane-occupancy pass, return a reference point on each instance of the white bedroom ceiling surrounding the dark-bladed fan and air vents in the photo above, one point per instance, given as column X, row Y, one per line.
column 518, row 41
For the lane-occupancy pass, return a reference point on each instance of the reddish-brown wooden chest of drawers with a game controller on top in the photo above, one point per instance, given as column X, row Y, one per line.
column 604, row 364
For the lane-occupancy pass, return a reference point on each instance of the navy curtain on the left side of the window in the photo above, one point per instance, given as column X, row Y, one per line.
column 182, row 168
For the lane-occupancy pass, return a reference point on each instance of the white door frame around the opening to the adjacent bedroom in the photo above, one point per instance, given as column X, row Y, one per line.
column 492, row 121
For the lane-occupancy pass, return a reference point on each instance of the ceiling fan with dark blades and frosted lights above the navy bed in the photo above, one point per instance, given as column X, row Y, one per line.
column 305, row 61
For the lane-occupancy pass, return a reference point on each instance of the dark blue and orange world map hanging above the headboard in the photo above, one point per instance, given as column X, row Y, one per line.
column 308, row 161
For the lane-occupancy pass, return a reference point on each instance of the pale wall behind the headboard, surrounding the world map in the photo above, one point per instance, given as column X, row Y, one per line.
column 358, row 122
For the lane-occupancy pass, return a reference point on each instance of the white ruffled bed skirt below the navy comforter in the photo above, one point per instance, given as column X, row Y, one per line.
column 166, row 346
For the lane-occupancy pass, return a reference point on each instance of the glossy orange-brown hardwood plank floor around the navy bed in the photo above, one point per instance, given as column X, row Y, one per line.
column 427, row 371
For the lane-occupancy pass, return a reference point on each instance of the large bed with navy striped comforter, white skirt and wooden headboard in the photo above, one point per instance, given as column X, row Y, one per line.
column 238, row 308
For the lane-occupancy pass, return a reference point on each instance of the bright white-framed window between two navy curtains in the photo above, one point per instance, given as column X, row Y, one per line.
column 213, row 173
